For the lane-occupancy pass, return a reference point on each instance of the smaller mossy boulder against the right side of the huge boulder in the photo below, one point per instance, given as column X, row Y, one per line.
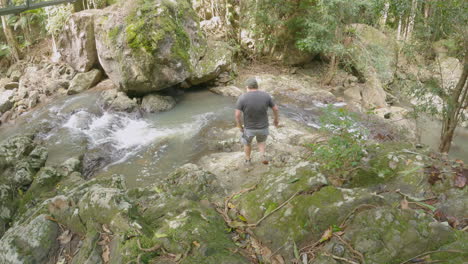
column 218, row 58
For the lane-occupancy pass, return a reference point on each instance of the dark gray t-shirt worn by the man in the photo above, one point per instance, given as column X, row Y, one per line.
column 254, row 105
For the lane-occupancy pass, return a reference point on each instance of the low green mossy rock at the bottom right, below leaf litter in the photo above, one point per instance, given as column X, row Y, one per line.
column 385, row 235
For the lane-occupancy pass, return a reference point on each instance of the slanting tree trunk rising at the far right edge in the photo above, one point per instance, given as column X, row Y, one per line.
column 454, row 108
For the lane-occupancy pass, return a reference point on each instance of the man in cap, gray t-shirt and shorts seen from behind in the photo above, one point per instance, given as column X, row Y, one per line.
column 254, row 105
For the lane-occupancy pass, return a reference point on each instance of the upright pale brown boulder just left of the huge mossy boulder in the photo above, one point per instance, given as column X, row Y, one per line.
column 77, row 43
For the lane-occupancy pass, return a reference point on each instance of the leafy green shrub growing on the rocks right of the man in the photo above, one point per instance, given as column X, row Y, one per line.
column 344, row 148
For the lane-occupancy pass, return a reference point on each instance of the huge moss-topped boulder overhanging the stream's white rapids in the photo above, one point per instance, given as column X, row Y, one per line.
column 140, row 61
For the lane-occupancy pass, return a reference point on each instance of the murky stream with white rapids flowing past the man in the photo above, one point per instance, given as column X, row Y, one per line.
column 144, row 147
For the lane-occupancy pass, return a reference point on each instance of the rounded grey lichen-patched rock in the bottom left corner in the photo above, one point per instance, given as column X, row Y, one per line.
column 30, row 243
